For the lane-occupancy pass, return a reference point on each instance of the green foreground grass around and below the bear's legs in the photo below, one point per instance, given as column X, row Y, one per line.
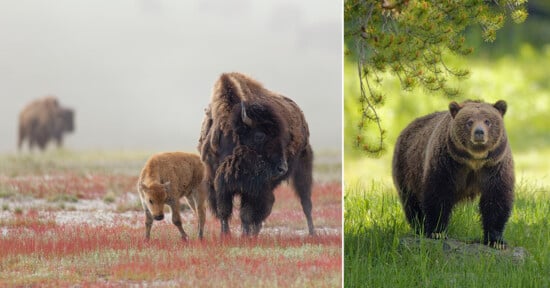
column 374, row 223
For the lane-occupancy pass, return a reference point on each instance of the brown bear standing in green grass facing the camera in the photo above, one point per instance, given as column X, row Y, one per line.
column 450, row 156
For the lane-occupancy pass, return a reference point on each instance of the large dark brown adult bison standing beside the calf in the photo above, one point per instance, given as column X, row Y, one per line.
column 251, row 140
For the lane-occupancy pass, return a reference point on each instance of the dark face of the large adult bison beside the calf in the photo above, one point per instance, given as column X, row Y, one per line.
column 260, row 130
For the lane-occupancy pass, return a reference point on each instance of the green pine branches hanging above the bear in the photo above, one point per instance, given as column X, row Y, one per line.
column 411, row 40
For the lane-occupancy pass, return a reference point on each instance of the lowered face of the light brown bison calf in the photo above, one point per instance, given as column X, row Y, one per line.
column 154, row 197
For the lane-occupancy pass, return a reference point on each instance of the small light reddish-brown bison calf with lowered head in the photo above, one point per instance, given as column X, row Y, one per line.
column 167, row 177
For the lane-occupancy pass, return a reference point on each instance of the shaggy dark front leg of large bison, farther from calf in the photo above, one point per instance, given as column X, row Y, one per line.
column 254, row 210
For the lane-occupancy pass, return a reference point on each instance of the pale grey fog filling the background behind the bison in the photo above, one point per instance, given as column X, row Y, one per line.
column 139, row 73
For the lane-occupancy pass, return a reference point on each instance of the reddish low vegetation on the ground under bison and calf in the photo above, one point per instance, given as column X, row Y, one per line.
column 37, row 250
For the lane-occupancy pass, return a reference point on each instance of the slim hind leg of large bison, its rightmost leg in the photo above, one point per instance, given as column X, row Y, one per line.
column 302, row 181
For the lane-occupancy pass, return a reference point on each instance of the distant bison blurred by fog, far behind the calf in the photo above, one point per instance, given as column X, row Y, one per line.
column 43, row 120
